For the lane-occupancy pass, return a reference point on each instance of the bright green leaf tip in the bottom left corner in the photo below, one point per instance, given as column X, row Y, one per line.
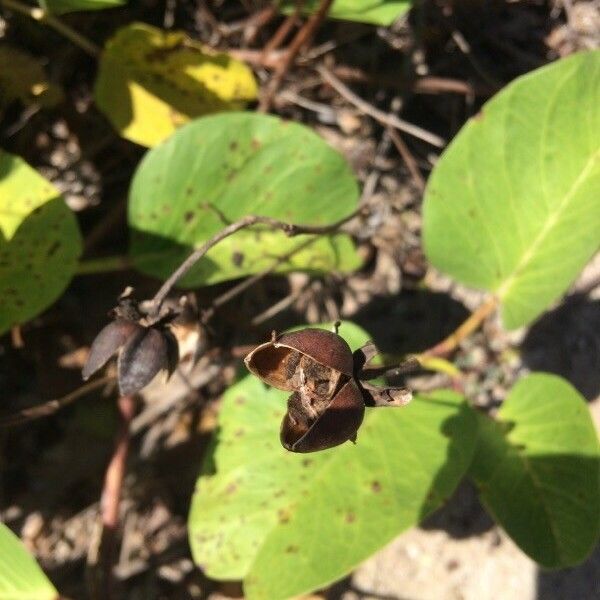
column 20, row 576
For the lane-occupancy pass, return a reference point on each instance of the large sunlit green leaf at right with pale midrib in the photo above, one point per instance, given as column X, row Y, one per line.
column 513, row 205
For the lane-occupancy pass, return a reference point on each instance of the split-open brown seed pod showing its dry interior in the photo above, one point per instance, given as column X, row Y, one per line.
column 326, row 407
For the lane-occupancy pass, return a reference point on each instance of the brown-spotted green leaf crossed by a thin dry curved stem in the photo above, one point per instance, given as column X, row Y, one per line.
column 238, row 164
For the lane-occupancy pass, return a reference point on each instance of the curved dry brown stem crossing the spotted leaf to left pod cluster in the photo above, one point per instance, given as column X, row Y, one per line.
column 289, row 229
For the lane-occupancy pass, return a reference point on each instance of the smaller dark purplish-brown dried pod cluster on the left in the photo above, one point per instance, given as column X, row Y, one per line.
column 145, row 347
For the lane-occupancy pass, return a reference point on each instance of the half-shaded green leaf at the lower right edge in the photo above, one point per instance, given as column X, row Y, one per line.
column 538, row 470
